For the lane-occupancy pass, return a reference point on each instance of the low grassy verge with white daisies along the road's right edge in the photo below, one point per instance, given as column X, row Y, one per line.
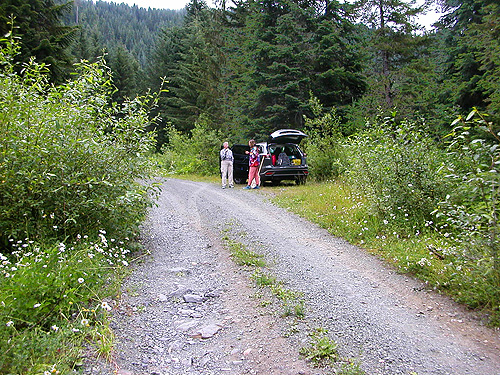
column 435, row 254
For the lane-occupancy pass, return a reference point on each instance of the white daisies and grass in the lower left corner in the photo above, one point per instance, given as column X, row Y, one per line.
column 52, row 302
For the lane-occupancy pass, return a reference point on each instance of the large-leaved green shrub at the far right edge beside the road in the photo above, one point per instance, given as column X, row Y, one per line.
column 471, row 209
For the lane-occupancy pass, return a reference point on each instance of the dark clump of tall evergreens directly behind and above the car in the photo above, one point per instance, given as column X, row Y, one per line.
column 290, row 49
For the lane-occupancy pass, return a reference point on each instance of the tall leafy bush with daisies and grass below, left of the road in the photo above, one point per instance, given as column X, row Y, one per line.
column 70, row 208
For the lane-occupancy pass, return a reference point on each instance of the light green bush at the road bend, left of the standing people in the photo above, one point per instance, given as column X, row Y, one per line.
column 198, row 153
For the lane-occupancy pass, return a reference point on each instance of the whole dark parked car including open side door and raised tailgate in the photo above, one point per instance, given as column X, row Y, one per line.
column 281, row 159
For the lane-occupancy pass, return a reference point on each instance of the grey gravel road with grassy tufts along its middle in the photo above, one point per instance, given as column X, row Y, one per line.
column 187, row 308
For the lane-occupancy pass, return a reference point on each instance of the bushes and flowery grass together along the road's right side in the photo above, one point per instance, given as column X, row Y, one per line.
column 428, row 206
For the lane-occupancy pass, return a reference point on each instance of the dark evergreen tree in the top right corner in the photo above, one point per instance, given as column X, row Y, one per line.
column 472, row 43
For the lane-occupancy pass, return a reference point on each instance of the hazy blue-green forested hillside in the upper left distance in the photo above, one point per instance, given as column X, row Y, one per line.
column 108, row 25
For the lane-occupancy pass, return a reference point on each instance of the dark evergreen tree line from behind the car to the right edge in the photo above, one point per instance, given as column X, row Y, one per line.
column 251, row 68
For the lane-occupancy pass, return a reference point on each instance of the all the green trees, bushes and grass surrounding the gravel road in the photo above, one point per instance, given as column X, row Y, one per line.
column 402, row 123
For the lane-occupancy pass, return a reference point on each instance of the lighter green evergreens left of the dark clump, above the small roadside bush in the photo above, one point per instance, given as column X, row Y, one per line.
column 190, row 59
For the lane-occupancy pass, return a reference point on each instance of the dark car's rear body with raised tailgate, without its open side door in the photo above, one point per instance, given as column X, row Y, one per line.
column 282, row 158
